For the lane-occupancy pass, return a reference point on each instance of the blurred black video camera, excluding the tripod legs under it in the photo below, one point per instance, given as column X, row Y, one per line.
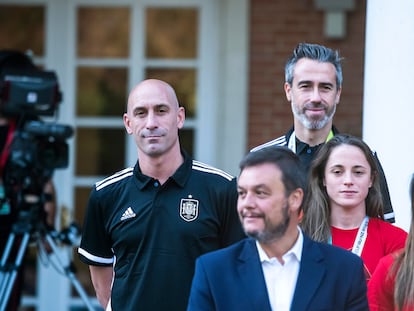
column 37, row 147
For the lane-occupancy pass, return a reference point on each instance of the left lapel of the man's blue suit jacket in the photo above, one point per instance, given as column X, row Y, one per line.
column 251, row 276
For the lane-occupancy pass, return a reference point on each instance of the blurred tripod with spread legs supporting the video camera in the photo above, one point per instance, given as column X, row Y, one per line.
column 27, row 227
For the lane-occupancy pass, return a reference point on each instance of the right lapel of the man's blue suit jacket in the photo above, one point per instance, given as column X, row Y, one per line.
column 310, row 276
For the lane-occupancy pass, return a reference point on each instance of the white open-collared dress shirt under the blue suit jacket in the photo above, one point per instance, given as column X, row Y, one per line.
column 281, row 278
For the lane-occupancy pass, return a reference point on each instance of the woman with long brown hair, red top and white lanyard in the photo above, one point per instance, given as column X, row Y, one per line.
column 343, row 205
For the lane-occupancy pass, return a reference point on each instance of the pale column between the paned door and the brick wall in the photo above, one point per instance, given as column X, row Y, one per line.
column 232, row 137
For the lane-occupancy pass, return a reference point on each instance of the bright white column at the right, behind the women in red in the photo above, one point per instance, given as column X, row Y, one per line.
column 388, row 107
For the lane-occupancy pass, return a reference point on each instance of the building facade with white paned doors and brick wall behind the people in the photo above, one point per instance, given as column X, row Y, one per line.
column 224, row 57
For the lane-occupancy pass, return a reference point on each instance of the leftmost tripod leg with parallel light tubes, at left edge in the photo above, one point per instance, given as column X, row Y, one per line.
column 8, row 274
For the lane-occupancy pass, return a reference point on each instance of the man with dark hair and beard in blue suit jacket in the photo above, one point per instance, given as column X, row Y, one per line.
column 277, row 267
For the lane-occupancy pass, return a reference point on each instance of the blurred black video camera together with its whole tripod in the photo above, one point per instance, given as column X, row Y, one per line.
column 32, row 150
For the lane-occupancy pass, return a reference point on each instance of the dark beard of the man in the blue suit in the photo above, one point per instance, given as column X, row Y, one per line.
column 272, row 232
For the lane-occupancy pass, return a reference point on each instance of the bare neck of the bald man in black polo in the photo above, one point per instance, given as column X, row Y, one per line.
column 161, row 167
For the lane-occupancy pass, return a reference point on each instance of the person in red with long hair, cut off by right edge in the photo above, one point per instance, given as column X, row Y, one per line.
column 392, row 284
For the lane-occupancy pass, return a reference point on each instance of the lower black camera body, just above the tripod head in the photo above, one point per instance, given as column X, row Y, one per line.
column 35, row 152
